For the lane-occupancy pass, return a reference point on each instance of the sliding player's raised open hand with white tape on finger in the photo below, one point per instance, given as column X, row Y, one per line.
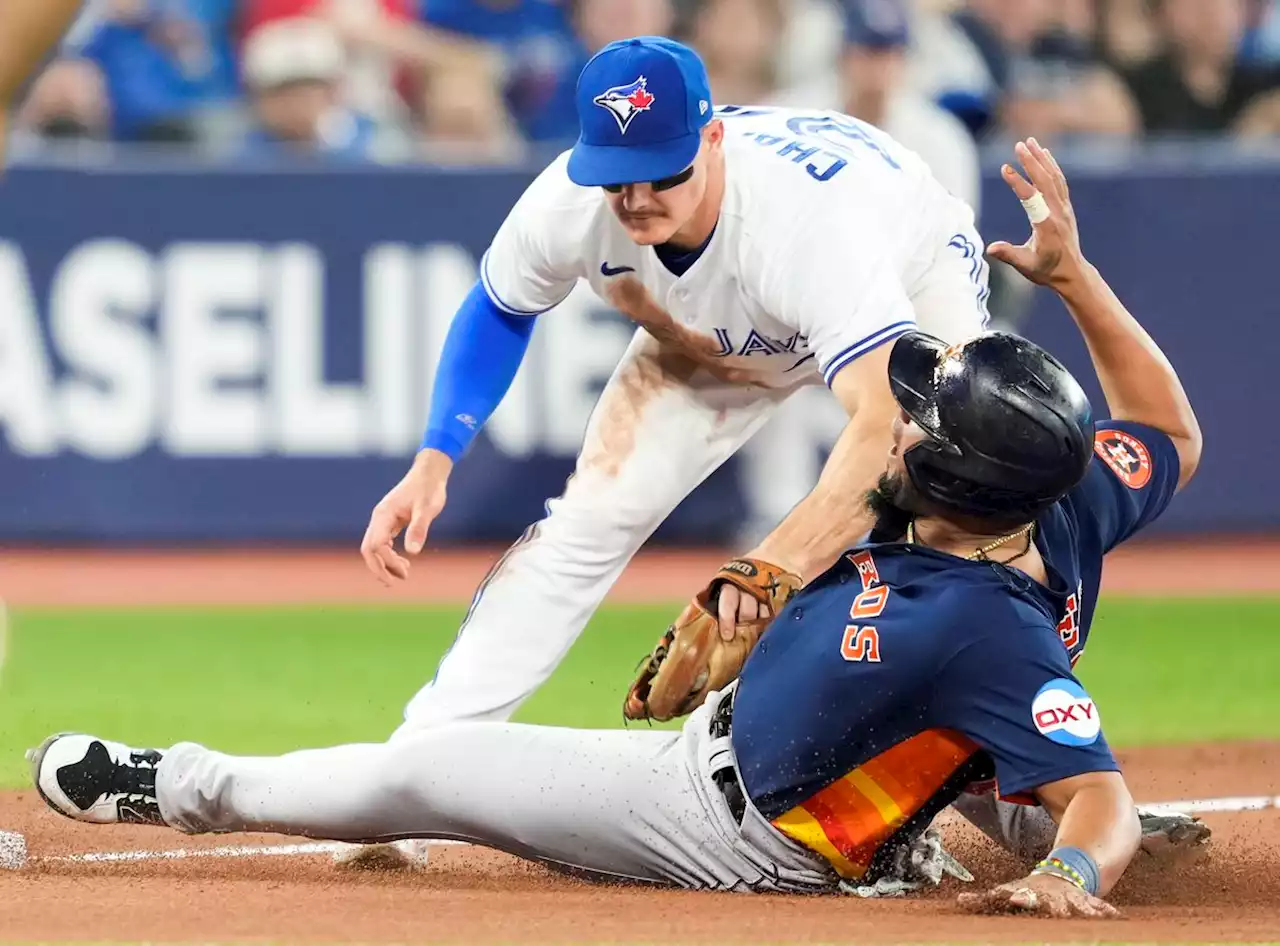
column 1053, row 254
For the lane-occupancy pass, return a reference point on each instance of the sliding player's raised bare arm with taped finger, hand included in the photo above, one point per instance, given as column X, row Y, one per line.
column 1137, row 380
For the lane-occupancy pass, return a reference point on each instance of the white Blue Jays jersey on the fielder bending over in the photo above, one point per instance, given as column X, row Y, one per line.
column 828, row 230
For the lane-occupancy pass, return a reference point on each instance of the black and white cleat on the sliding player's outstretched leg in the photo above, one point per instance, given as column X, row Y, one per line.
column 97, row 782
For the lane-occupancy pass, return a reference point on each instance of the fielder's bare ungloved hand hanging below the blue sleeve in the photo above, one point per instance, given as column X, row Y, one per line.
column 414, row 502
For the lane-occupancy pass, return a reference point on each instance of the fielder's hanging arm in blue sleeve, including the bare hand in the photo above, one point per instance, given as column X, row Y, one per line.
column 482, row 355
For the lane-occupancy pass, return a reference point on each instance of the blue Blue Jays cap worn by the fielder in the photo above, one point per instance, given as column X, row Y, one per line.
column 642, row 106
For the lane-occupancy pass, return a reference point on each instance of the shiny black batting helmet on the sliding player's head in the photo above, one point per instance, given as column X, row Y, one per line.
column 1011, row 431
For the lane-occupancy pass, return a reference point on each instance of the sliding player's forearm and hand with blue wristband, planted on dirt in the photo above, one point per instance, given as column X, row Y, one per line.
column 1098, row 837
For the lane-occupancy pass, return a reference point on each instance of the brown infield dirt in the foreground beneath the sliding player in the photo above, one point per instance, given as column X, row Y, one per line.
column 1229, row 893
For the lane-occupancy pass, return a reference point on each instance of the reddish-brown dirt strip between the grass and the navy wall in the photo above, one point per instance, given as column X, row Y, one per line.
column 328, row 577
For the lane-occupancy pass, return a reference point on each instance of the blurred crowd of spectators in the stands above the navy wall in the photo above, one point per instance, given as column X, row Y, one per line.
column 476, row 81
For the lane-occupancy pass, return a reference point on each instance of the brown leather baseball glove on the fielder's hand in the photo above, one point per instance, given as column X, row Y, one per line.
column 692, row 659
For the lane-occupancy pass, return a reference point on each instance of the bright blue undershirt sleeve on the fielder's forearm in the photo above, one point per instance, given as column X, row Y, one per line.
column 482, row 355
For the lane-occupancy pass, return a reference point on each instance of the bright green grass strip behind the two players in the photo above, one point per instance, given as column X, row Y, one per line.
column 271, row 680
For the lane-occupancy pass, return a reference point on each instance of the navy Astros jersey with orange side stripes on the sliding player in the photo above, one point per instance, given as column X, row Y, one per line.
column 903, row 673
